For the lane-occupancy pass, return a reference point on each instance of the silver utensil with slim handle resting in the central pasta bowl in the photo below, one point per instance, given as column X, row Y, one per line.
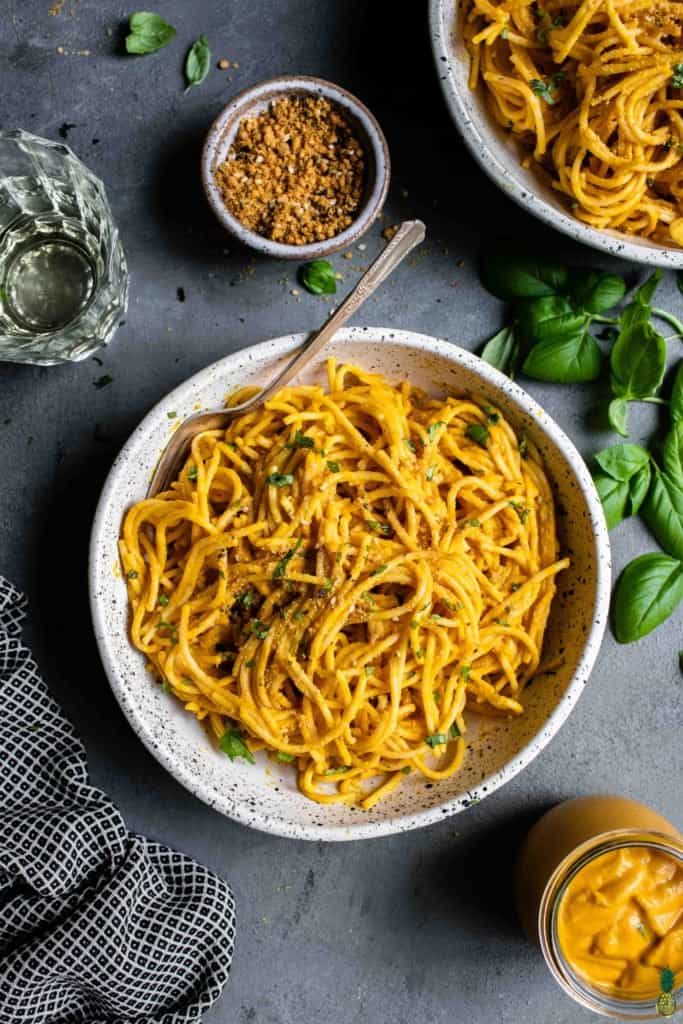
column 410, row 235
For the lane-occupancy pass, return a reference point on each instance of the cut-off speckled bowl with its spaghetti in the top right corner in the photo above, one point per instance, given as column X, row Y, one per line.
column 575, row 112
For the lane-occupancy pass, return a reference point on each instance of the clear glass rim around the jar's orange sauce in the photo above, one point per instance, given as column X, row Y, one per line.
column 592, row 999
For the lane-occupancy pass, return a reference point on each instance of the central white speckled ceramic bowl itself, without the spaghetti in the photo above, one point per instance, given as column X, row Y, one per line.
column 266, row 796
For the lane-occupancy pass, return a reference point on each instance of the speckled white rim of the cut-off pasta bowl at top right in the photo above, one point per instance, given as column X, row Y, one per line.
column 442, row 20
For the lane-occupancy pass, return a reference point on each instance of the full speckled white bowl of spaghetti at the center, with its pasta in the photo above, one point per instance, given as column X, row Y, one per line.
column 361, row 609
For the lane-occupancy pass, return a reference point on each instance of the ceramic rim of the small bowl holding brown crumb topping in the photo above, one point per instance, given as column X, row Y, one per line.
column 239, row 108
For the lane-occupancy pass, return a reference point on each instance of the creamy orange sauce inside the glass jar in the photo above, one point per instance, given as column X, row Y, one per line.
column 621, row 922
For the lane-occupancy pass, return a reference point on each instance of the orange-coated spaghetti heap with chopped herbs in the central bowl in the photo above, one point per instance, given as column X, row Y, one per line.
column 340, row 575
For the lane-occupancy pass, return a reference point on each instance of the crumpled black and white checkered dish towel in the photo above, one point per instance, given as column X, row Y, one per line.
column 97, row 925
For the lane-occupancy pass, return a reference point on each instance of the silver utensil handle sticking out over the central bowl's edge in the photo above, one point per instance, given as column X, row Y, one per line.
column 410, row 235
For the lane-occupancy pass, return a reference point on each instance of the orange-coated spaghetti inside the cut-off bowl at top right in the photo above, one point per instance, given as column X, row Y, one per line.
column 593, row 91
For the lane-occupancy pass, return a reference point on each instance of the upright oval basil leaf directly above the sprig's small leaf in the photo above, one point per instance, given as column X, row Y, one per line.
column 638, row 362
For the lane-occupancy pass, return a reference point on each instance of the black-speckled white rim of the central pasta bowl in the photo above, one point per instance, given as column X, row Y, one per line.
column 251, row 817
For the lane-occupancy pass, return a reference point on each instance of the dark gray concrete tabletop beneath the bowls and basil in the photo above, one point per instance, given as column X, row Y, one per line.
column 417, row 927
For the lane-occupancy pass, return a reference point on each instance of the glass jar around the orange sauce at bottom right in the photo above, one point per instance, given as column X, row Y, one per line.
column 561, row 844
